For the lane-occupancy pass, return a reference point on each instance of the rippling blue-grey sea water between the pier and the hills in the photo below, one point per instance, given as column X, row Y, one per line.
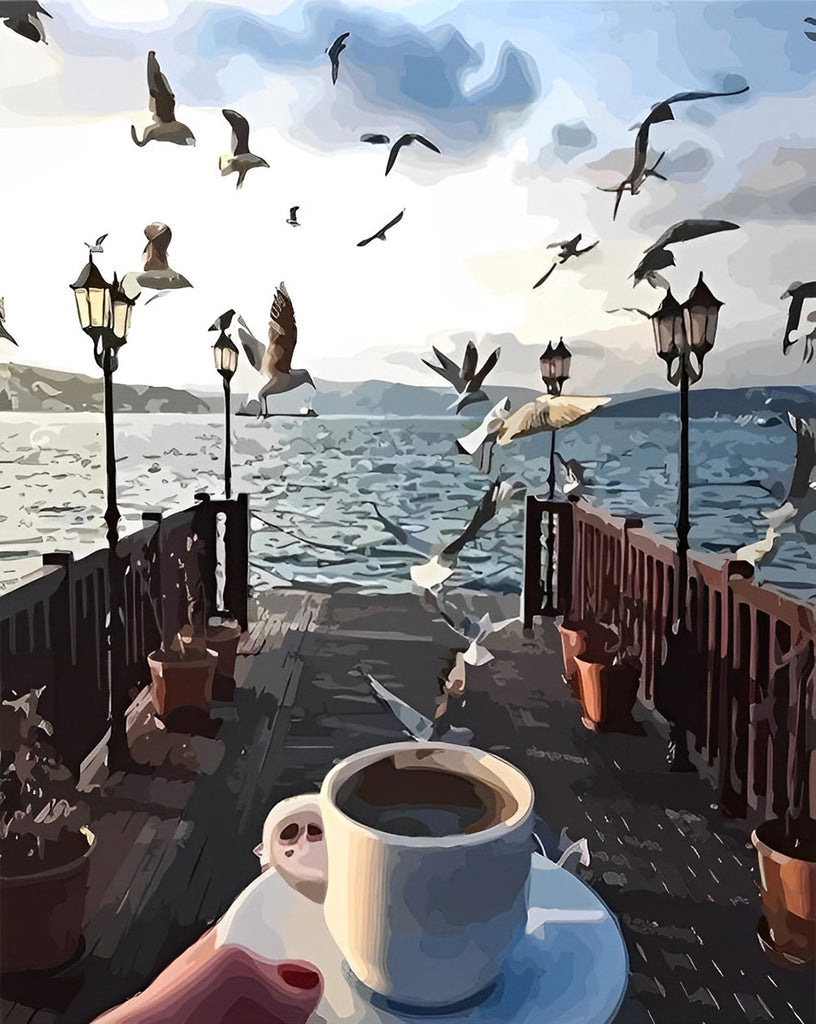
column 314, row 485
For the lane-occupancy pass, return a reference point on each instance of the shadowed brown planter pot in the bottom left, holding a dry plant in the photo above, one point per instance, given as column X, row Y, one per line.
column 41, row 914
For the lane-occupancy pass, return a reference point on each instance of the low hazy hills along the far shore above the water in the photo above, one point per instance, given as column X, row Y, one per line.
column 34, row 390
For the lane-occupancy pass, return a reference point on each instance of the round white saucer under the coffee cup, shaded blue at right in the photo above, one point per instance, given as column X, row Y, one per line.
column 571, row 968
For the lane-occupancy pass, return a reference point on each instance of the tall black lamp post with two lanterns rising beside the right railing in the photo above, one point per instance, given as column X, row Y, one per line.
column 683, row 336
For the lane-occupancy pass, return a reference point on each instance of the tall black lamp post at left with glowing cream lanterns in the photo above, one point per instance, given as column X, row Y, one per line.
column 105, row 313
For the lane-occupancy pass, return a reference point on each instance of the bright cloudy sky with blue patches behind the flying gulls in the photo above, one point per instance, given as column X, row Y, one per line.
column 532, row 105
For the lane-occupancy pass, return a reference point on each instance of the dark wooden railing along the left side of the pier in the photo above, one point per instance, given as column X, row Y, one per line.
column 54, row 631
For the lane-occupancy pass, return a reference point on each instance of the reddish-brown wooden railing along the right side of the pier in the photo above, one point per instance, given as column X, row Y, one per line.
column 746, row 691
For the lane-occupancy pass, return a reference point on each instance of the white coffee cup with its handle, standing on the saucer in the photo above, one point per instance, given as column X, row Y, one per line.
column 422, row 920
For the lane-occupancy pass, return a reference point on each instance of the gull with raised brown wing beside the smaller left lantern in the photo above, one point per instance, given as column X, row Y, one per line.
column 275, row 360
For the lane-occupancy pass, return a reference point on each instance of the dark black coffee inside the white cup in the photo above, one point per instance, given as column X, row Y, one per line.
column 412, row 800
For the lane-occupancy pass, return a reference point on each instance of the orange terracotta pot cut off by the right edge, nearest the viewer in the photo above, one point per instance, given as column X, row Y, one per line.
column 788, row 931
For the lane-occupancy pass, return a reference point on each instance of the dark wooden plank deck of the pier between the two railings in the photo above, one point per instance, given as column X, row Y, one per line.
column 176, row 848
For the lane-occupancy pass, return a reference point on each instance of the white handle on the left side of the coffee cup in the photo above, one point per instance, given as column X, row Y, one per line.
column 294, row 844
